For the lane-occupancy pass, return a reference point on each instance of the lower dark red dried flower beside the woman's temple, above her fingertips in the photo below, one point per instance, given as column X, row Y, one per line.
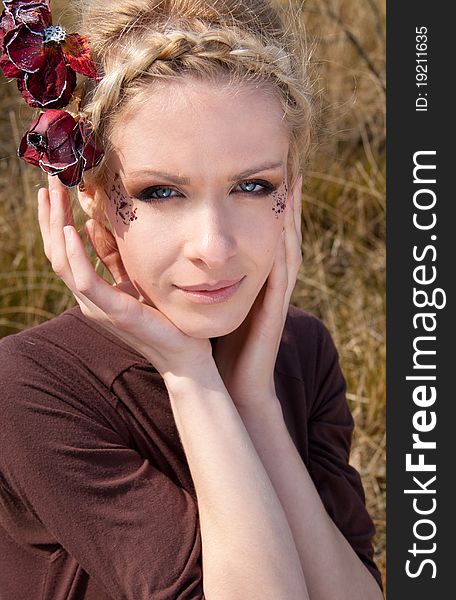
column 60, row 146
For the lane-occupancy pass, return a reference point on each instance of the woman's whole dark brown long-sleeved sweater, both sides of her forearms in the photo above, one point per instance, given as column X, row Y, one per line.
column 96, row 497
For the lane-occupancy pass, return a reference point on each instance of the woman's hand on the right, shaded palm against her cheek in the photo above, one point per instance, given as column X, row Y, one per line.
column 246, row 357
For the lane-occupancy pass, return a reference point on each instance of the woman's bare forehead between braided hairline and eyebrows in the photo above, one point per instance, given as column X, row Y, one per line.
column 196, row 124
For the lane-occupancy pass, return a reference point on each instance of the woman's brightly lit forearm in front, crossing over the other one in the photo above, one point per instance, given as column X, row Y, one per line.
column 247, row 546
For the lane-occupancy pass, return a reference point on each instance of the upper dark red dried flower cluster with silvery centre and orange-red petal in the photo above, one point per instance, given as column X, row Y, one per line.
column 43, row 57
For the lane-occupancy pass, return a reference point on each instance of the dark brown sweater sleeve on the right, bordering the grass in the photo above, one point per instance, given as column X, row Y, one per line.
column 330, row 431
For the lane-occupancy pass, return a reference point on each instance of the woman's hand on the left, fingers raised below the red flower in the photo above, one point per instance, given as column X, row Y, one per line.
column 115, row 307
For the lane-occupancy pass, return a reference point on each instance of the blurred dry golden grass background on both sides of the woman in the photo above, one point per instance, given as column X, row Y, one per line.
column 342, row 279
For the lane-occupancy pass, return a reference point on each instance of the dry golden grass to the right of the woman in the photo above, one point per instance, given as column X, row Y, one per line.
column 343, row 276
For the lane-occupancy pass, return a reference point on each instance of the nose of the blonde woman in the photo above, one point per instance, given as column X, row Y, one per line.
column 211, row 237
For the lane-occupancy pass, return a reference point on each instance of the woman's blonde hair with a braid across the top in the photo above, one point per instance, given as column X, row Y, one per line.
column 137, row 42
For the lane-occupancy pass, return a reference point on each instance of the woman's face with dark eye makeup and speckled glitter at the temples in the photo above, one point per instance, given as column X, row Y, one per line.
column 196, row 192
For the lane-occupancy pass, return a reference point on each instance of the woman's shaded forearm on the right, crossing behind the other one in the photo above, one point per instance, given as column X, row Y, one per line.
column 331, row 567
